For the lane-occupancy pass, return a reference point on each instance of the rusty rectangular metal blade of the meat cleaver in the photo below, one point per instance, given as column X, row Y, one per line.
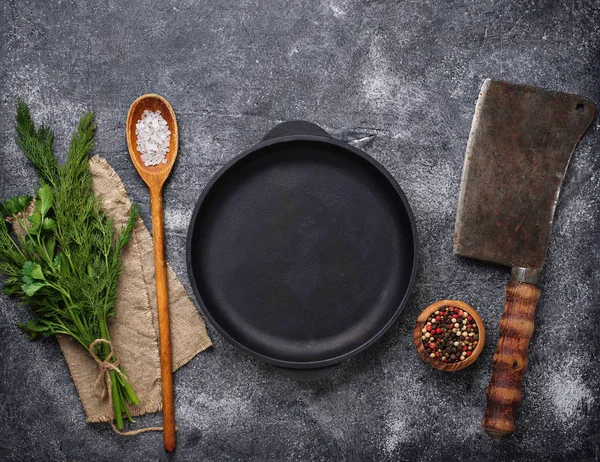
column 519, row 148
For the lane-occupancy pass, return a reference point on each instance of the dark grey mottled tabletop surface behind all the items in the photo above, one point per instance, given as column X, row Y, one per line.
column 403, row 77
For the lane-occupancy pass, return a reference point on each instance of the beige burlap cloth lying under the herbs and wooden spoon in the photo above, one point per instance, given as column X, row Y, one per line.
column 134, row 330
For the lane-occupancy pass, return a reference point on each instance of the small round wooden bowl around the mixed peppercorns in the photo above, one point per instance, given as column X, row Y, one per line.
column 422, row 320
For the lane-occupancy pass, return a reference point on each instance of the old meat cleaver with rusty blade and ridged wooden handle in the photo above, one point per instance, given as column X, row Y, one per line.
column 518, row 151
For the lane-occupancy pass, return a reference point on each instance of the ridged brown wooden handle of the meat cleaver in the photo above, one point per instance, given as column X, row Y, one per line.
column 510, row 359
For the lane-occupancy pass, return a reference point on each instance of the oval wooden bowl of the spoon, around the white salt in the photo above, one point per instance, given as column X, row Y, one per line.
column 153, row 175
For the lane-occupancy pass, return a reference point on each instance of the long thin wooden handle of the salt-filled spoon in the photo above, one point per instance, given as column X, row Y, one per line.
column 164, row 328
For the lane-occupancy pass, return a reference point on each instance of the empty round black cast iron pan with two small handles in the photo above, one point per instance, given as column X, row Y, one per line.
column 302, row 250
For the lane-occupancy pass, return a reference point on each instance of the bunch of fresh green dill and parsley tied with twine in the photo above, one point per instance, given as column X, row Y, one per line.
column 61, row 254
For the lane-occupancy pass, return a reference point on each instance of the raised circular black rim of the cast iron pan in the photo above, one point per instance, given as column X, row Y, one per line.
column 353, row 150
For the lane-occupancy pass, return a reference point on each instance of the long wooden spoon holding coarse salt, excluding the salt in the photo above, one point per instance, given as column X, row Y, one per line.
column 155, row 177
